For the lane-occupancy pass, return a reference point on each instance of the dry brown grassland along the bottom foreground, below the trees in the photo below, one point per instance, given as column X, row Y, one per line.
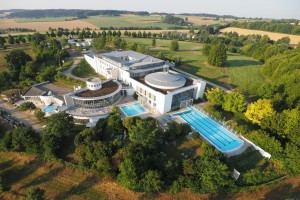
column 22, row 171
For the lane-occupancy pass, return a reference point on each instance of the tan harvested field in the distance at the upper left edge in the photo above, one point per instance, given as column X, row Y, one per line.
column 43, row 26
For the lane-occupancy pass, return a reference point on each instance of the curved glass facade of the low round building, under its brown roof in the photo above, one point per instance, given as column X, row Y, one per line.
column 97, row 103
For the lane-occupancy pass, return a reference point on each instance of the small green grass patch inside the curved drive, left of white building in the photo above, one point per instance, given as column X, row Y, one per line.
column 84, row 70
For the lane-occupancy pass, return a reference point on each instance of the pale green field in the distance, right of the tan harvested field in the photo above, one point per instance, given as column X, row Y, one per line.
column 128, row 21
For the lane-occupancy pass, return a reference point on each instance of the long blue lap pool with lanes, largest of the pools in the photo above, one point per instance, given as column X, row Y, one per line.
column 210, row 130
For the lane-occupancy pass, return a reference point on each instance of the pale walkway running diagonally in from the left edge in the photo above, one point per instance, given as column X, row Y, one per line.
column 24, row 117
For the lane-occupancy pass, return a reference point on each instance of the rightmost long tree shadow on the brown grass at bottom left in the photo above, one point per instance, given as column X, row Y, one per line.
column 80, row 188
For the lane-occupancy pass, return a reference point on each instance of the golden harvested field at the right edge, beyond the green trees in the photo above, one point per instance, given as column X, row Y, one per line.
column 295, row 39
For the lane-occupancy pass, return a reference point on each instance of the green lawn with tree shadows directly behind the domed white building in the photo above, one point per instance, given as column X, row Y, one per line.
column 242, row 72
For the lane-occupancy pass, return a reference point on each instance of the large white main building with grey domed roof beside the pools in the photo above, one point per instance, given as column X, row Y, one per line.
column 163, row 91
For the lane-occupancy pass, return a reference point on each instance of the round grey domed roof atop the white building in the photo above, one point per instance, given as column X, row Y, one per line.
column 165, row 80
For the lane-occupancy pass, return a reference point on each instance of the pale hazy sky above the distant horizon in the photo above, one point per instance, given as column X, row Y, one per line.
column 241, row 8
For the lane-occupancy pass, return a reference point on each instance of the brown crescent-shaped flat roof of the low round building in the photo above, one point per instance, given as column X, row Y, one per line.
column 107, row 88
